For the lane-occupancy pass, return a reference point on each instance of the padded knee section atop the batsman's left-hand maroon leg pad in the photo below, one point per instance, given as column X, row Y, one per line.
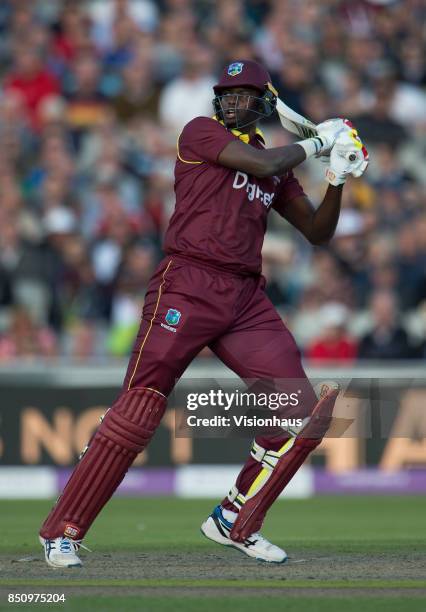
column 132, row 420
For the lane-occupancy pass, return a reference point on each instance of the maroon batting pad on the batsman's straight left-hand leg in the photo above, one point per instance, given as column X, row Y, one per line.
column 124, row 432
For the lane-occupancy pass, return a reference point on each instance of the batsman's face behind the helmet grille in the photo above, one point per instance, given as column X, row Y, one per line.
column 238, row 105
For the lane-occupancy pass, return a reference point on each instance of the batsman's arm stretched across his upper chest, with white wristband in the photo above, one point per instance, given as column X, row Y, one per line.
column 270, row 162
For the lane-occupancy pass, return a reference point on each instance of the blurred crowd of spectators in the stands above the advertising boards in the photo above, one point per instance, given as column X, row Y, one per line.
column 93, row 94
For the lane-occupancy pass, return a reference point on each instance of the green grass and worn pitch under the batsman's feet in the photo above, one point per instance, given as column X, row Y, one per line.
column 346, row 553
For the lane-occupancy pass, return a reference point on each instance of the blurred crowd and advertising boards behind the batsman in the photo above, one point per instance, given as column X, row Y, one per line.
column 93, row 95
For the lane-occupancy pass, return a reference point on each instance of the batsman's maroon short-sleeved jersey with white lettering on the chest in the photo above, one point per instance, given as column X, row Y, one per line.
column 220, row 214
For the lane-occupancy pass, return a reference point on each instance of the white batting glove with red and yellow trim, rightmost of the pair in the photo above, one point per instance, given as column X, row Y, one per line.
column 348, row 156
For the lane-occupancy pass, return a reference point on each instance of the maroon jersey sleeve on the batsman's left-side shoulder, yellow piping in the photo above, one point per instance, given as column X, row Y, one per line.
column 202, row 140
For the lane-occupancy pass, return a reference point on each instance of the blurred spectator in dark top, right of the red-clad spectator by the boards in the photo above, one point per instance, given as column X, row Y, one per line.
column 387, row 339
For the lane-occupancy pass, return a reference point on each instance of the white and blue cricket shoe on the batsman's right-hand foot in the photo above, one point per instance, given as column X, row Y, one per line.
column 217, row 528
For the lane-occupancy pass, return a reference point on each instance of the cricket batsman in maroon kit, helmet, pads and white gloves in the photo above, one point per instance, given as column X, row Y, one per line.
column 208, row 291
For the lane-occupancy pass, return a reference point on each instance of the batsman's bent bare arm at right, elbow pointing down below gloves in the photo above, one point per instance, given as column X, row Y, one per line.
column 318, row 226
